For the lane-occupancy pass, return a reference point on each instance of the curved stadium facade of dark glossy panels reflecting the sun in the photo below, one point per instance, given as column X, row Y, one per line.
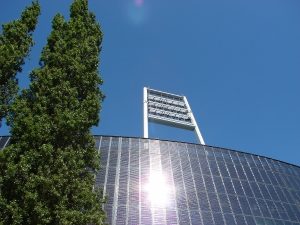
column 150, row 181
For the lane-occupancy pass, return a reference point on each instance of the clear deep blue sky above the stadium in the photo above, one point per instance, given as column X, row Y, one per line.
column 237, row 61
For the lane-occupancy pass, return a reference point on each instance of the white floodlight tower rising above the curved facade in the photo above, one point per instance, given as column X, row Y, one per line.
column 169, row 109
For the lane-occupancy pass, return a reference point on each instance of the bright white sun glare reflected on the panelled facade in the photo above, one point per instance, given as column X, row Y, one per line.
column 158, row 190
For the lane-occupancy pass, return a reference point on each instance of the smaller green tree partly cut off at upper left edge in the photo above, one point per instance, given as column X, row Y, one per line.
column 15, row 43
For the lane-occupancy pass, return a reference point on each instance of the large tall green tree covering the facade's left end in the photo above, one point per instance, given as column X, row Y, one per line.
column 48, row 171
